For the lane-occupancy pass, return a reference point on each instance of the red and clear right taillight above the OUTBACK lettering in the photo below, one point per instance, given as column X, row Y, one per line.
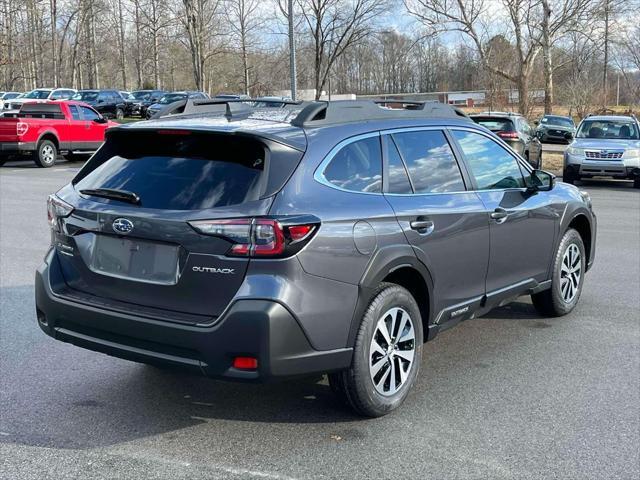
column 259, row 237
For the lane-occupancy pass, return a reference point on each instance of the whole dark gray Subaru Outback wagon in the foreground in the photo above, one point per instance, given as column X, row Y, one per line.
column 260, row 244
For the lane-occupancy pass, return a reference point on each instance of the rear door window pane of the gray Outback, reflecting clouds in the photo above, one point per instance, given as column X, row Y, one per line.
column 430, row 161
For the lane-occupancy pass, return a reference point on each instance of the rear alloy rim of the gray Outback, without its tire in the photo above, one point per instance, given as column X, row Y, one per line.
column 392, row 351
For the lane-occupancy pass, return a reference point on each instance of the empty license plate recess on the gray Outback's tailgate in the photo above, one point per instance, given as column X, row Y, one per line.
column 134, row 259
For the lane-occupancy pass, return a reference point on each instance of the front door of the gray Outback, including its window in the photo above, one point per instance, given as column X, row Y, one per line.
column 522, row 224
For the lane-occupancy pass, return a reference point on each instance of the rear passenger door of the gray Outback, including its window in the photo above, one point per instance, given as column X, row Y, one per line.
column 444, row 222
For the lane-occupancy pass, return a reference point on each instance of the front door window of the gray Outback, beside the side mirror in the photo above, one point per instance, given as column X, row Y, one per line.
column 492, row 166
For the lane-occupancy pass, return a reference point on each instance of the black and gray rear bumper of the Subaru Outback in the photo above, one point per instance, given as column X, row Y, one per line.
column 263, row 329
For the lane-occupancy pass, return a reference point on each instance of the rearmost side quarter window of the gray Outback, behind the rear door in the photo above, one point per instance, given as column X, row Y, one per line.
column 357, row 166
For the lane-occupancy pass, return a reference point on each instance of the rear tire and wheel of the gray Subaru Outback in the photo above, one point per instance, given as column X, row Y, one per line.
column 392, row 307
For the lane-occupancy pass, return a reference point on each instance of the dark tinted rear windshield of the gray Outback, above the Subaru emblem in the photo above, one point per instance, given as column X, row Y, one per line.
column 177, row 171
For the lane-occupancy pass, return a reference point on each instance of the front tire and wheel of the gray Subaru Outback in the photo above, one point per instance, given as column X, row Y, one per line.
column 567, row 278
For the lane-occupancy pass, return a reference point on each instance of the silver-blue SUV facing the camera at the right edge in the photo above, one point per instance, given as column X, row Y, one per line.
column 605, row 145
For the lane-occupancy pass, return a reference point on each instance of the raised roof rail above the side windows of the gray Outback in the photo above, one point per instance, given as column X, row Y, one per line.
column 321, row 113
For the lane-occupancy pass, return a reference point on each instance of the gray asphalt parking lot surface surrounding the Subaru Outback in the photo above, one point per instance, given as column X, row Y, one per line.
column 510, row 395
